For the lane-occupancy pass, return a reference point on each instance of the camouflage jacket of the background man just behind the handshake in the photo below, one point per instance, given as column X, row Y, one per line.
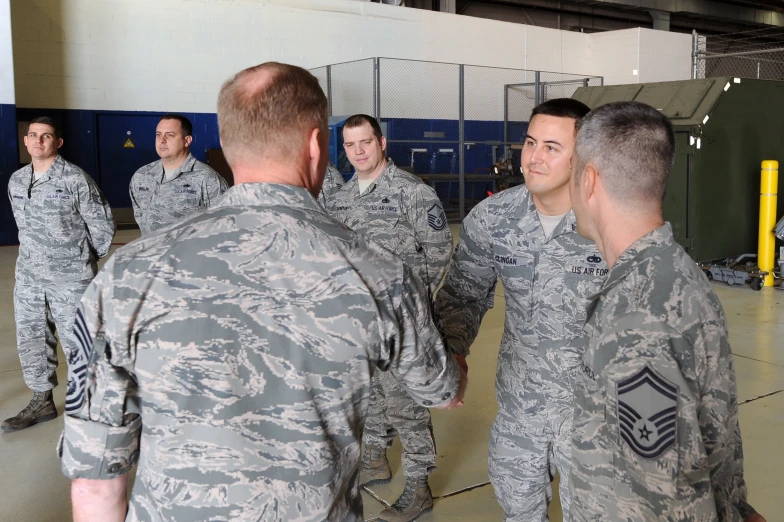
column 404, row 215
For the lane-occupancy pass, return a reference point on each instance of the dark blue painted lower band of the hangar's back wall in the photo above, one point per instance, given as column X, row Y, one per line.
column 95, row 141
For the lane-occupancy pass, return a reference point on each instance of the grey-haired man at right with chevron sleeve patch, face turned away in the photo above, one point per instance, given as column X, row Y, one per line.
column 656, row 434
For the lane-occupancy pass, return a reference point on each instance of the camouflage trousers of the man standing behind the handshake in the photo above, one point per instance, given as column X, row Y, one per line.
column 393, row 412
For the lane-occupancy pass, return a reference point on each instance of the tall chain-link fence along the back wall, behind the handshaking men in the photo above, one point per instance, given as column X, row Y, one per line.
column 458, row 127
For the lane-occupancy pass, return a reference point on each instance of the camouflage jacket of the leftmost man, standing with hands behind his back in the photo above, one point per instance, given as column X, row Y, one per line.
column 65, row 224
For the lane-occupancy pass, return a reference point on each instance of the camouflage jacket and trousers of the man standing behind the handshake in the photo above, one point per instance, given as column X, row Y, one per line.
column 404, row 215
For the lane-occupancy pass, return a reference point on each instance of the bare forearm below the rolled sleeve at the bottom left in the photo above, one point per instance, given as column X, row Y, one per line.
column 99, row 500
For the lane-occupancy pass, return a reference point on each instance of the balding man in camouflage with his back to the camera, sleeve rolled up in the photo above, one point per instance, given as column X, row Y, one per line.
column 231, row 354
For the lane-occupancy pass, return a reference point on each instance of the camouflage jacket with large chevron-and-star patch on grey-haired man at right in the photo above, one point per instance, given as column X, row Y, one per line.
column 656, row 433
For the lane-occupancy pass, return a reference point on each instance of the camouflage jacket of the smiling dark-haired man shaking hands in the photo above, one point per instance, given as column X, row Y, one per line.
column 547, row 284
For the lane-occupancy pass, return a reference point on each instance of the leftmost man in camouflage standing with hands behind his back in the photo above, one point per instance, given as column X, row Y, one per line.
column 65, row 225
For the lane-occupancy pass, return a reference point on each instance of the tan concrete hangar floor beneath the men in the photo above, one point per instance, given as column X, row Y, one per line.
column 33, row 488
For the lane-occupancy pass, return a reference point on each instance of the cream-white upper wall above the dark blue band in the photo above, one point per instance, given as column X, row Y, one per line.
column 173, row 55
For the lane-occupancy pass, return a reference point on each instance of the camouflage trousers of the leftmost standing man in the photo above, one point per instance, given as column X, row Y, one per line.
column 39, row 310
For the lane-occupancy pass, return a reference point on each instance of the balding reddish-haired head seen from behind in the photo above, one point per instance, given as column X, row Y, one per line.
column 268, row 112
